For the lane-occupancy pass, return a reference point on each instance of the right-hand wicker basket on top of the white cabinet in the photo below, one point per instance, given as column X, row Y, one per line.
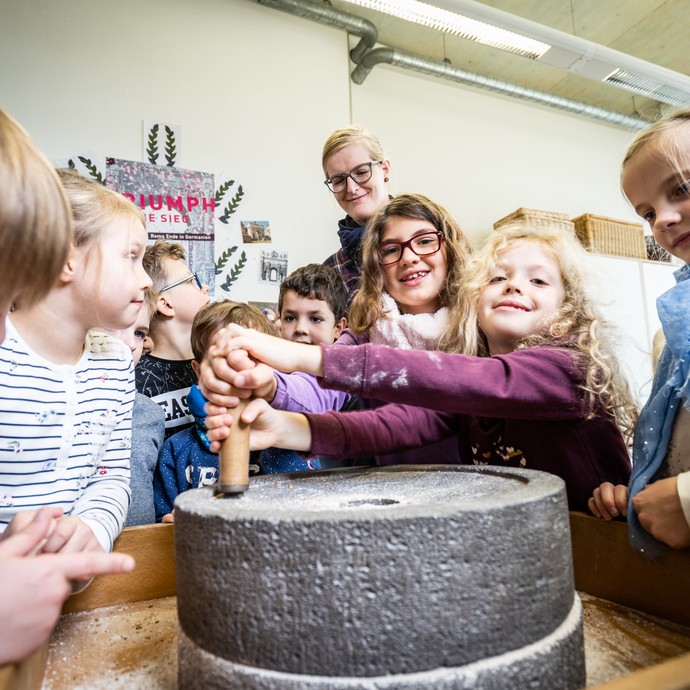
column 608, row 236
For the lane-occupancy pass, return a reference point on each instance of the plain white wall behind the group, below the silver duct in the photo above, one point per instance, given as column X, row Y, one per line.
column 257, row 91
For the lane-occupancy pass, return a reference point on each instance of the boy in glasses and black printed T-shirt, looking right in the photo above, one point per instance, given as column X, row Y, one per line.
column 166, row 374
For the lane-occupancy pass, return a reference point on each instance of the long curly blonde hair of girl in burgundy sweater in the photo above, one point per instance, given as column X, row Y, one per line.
column 577, row 325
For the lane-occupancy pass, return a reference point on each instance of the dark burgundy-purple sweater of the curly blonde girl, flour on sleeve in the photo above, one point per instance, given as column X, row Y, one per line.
column 523, row 409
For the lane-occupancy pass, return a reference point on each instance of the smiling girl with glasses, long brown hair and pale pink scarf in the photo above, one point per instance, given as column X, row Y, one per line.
column 414, row 255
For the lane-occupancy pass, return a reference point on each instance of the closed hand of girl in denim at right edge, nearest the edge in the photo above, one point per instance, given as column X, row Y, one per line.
column 660, row 512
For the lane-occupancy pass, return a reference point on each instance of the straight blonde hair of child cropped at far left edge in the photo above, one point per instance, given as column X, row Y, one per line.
column 35, row 218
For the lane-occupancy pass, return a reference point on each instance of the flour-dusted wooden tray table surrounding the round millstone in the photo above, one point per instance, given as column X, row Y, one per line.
column 121, row 631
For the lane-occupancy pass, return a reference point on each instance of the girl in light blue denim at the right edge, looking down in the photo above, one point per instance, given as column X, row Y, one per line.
column 654, row 178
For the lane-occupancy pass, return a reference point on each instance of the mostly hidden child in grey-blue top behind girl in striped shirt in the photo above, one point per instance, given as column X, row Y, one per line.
column 148, row 424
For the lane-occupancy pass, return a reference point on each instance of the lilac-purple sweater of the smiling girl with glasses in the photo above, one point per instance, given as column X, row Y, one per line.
column 298, row 392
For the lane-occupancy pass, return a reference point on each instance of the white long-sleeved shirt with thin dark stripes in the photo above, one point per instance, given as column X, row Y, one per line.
column 65, row 433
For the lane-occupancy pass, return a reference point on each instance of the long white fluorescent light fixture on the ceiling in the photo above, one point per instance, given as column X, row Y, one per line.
column 492, row 27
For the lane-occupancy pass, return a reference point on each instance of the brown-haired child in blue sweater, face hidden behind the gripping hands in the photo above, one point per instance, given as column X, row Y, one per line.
column 186, row 461
